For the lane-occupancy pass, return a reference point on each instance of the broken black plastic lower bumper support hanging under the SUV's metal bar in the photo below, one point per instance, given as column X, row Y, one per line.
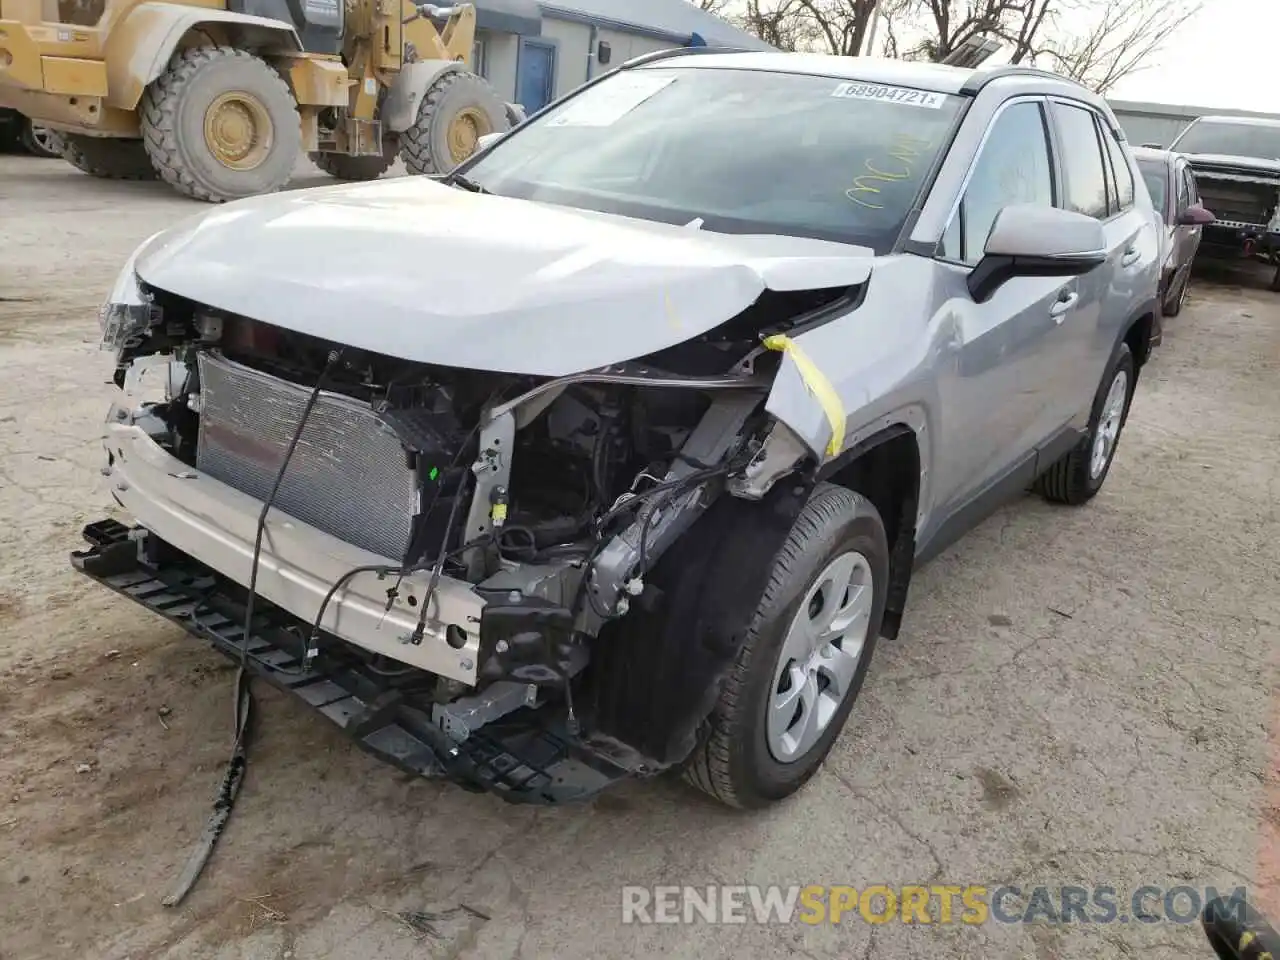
column 525, row 758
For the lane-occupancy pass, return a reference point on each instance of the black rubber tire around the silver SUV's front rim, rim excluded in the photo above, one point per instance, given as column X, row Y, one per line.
column 734, row 762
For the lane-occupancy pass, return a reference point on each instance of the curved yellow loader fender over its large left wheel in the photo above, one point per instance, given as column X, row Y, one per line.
column 141, row 45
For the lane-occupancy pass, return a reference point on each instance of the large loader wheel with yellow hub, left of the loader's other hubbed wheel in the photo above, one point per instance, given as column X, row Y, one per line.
column 222, row 125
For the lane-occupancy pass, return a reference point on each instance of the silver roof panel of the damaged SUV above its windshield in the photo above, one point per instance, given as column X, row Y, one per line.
column 939, row 79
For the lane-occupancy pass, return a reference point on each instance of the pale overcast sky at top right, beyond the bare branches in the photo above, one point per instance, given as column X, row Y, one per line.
column 1222, row 58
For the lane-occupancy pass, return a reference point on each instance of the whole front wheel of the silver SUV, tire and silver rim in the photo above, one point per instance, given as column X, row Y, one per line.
column 807, row 652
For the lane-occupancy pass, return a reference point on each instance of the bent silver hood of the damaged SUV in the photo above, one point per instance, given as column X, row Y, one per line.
column 429, row 273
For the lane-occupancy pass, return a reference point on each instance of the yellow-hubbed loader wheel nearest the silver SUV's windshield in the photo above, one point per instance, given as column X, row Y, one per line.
column 456, row 111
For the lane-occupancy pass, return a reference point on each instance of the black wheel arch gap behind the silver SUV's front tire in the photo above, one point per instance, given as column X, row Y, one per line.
column 888, row 468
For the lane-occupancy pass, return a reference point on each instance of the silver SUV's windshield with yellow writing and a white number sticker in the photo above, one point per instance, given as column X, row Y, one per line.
column 743, row 152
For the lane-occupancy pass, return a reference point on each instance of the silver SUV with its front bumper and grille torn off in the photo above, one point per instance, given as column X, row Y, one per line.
column 614, row 451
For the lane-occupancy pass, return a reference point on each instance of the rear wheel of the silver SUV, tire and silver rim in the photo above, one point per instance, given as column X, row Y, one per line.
column 1078, row 477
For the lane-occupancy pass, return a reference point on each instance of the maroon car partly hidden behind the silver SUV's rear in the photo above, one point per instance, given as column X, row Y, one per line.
column 1173, row 193
